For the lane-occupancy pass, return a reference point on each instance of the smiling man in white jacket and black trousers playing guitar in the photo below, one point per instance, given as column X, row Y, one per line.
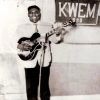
column 36, row 72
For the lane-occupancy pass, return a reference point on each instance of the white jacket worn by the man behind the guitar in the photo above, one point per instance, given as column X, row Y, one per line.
column 27, row 30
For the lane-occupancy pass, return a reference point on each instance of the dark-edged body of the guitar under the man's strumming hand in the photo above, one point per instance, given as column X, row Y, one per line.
column 35, row 47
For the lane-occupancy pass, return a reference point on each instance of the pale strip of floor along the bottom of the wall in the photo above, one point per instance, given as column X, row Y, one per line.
column 75, row 97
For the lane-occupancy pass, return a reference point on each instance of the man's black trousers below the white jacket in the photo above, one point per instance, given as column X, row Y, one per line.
column 32, row 82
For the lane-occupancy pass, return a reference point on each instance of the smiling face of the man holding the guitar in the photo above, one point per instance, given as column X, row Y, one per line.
column 34, row 15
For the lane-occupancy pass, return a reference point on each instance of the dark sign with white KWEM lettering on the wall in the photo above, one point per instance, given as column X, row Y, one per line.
column 85, row 12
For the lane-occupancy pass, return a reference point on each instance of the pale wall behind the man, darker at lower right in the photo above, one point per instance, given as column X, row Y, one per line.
column 75, row 68
